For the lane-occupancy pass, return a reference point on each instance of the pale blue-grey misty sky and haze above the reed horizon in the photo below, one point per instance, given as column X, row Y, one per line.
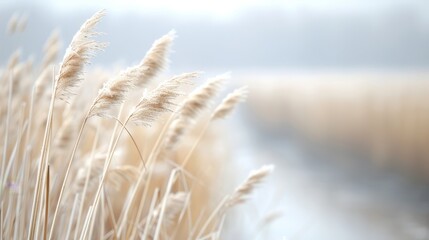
column 228, row 35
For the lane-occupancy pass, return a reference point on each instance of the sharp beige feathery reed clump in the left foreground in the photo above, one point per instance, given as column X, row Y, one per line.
column 132, row 160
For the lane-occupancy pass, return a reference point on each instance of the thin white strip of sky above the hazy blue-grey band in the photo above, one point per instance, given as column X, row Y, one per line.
column 220, row 7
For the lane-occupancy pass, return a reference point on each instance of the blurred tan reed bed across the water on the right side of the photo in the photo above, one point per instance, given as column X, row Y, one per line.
column 382, row 115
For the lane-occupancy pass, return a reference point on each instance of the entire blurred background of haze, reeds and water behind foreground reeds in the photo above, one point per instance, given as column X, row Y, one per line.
column 338, row 100
